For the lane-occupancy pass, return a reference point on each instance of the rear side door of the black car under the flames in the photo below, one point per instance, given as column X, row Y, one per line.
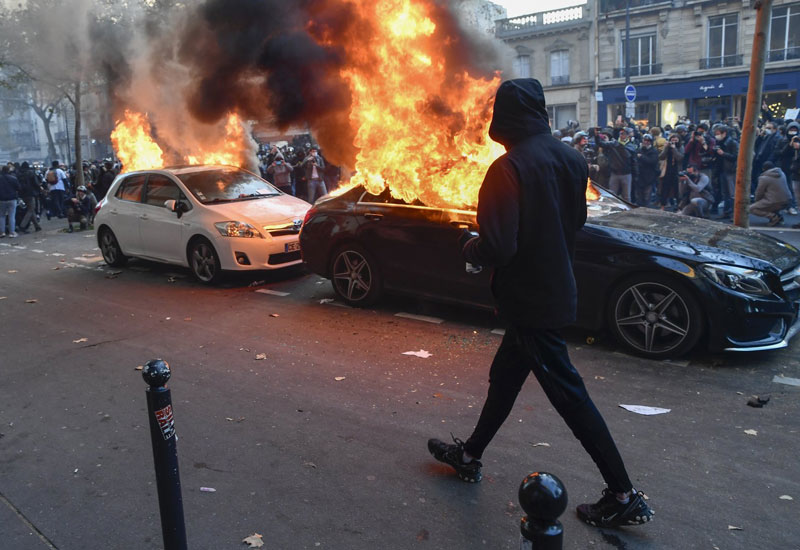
column 398, row 235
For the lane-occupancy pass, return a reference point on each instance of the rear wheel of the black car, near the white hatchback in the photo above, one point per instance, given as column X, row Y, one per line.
column 355, row 276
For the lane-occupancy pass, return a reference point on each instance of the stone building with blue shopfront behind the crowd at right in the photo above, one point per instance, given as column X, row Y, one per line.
column 692, row 58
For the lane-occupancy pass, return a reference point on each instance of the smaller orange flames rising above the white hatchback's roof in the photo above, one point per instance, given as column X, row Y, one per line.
column 136, row 148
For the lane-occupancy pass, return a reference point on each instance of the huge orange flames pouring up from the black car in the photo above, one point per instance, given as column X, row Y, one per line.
column 422, row 131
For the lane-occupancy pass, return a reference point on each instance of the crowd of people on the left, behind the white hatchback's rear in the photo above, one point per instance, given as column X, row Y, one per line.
column 30, row 191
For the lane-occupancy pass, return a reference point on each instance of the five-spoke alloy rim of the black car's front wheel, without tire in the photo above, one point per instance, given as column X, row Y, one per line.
column 652, row 317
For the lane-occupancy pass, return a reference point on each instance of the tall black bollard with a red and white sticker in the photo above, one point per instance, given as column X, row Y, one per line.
column 165, row 454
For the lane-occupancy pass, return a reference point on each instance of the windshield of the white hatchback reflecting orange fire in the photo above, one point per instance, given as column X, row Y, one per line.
column 226, row 185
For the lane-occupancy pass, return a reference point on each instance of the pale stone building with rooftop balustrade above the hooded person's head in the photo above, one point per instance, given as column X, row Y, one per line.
column 555, row 48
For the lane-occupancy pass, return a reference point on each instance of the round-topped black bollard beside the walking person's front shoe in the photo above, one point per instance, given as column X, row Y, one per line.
column 543, row 497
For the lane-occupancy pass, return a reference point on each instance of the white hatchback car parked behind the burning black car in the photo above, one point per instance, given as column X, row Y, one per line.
column 208, row 218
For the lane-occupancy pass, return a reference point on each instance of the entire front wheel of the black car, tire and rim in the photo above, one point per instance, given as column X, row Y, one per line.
column 655, row 316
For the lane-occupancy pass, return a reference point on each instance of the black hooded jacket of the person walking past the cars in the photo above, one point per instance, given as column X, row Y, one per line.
column 531, row 204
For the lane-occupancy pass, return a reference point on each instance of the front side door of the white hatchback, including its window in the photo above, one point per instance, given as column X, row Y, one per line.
column 160, row 229
